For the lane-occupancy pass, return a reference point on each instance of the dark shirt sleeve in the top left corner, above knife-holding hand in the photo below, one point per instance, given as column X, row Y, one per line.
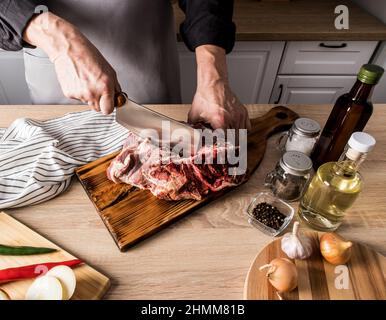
column 14, row 16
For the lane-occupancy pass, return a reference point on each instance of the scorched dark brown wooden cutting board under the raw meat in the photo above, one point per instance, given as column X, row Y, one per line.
column 131, row 214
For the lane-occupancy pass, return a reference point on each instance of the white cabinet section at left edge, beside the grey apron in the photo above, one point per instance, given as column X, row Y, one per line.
column 13, row 88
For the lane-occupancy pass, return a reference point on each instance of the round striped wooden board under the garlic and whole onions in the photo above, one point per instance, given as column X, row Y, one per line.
column 366, row 274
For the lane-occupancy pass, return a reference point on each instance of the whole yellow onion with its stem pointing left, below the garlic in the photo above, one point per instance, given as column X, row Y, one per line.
column 282, row 274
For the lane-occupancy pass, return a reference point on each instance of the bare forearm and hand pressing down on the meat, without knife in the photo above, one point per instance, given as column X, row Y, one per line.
column 214, row 101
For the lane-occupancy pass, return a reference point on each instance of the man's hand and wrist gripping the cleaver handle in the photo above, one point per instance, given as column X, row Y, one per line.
column 82, row 71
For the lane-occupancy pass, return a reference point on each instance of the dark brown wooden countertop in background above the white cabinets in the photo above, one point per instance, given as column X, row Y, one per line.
column 300, row 20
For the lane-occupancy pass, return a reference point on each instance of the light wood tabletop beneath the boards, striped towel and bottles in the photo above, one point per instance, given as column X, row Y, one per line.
column 207, row 254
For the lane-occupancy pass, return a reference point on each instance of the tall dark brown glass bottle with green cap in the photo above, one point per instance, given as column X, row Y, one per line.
column 350, row 114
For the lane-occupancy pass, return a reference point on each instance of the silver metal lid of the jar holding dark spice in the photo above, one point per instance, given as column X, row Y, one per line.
column 296, row 163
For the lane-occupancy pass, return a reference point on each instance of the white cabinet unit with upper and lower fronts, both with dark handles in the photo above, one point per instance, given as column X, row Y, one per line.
column 318, row 72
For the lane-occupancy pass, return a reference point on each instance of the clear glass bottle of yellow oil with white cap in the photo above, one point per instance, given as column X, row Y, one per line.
column 335, row 186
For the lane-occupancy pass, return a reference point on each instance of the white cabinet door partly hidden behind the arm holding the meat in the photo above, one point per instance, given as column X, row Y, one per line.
column 252, row 69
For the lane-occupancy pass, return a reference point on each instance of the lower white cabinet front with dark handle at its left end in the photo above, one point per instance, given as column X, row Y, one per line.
column 310, row 89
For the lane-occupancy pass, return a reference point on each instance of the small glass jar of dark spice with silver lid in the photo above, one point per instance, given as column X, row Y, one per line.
column 290, row 176
